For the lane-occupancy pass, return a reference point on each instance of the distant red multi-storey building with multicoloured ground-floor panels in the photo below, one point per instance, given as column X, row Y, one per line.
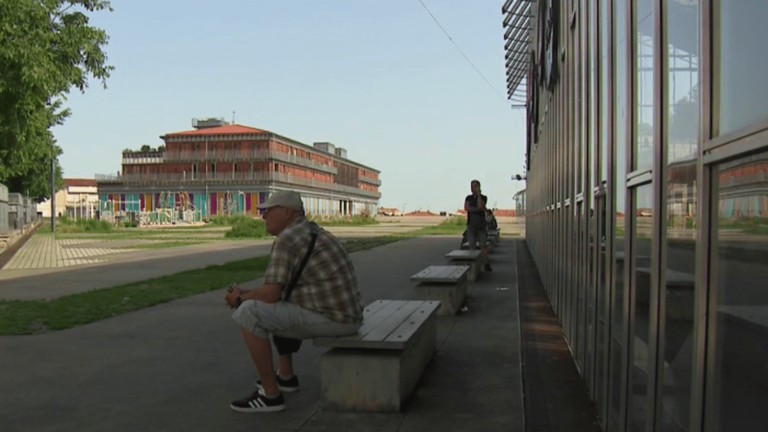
column 223, row 168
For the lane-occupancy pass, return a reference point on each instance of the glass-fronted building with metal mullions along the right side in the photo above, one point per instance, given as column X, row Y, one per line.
column 647, row 200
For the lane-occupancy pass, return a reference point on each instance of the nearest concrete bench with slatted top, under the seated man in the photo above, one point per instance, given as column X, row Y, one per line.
column 378, row 368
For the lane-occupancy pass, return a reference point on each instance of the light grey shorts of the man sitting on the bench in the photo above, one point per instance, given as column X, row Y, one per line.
column 286, row 319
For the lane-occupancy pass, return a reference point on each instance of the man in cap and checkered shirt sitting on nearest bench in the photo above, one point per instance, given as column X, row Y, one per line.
column 325, row 302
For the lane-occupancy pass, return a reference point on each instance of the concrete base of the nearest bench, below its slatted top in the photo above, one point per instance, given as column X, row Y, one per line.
column 377, row 380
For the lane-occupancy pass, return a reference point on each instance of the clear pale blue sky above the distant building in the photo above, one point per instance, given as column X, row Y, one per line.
column 378, row 78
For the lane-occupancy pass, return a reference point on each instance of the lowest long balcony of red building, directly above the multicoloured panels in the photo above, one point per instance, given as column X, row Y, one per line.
column 249, row 178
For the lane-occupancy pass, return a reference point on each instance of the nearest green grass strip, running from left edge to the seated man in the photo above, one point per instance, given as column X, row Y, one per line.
column 39, row 316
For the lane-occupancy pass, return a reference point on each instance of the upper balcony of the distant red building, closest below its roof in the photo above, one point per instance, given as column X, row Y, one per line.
column 215, row 155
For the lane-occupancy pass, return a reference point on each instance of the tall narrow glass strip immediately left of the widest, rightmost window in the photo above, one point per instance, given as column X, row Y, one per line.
column 681, row 174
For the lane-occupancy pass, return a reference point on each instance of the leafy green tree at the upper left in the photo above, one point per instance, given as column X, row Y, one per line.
column 46, row 49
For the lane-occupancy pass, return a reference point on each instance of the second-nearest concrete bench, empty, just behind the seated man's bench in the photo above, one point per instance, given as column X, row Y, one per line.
column 445, row 283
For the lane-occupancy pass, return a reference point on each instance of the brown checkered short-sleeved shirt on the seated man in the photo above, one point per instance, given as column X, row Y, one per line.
column 328, row 284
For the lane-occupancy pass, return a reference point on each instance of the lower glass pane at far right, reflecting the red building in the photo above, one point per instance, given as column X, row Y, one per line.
column 741, row 382
